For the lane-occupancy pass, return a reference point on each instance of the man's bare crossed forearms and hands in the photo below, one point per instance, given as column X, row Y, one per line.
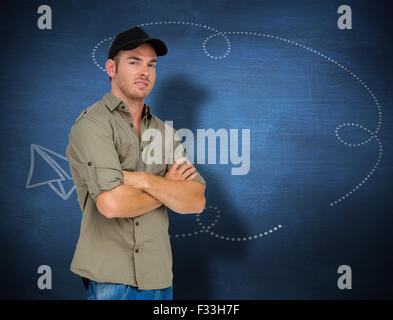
column 143, row 192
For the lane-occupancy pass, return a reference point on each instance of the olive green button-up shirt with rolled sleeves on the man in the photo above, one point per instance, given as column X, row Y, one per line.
column 134, row 251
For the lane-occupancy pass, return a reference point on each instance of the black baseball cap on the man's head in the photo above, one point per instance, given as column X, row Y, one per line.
column 132, row 38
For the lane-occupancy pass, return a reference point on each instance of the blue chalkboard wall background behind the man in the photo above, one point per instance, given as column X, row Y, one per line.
column 317, row 101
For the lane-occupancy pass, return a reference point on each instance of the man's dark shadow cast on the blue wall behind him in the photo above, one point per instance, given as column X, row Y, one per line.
column 180, row 99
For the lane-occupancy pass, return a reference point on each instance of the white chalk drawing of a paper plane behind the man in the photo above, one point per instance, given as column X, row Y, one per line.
column 55, row 184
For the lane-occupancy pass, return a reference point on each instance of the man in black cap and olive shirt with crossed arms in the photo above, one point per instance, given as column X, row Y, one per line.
column 124, row 251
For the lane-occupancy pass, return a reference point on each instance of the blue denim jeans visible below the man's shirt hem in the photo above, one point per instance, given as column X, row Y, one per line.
column 115, row 291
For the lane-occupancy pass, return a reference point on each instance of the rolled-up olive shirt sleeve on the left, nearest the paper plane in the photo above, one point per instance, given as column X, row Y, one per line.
column 92, row 154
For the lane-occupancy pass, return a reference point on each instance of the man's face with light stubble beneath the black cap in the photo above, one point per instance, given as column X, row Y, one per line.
column 136, row 71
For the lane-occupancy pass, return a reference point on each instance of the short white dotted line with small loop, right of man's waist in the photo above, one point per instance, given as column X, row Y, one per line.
column 207, row 229
